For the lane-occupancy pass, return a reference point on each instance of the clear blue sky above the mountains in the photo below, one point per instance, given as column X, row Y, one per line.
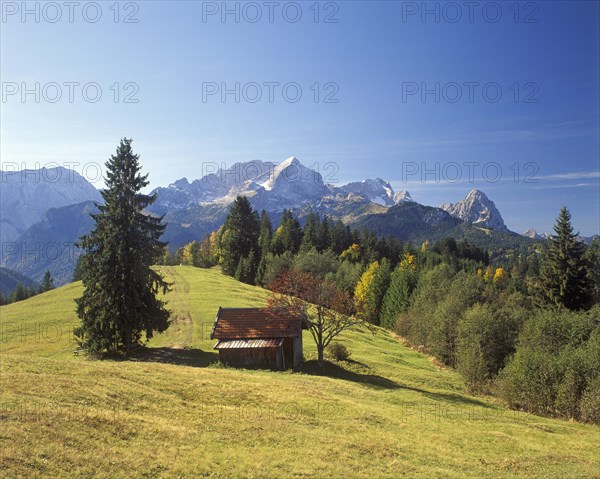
column 510, row 90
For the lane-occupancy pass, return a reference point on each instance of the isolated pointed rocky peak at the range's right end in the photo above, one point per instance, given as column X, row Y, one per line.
column 478, row 210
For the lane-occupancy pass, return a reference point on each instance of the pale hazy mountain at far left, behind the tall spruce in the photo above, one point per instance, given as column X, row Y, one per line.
column 28, row 194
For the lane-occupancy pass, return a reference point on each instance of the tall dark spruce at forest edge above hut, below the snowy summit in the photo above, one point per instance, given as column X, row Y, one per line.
column 240, row 236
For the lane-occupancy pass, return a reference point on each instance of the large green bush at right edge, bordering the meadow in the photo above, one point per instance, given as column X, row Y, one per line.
column 555, row 368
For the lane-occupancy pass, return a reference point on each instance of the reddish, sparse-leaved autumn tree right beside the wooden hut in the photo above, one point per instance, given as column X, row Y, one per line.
column 325, row 309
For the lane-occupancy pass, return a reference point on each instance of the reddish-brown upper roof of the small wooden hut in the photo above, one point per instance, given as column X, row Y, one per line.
column 253, row 323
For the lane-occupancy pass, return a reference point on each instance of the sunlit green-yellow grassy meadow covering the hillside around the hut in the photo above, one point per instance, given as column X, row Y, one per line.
column 387, row 412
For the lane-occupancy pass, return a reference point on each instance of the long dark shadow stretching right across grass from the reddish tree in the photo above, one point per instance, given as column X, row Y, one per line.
column 334, row 370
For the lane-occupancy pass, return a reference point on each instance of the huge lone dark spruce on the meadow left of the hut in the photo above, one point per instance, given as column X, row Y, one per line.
column 119, row 301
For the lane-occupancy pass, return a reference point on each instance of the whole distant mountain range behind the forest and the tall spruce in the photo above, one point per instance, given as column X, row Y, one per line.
column 194, row 209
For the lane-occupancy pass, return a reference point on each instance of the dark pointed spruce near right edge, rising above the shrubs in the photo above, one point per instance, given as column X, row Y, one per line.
column 564, row 272
